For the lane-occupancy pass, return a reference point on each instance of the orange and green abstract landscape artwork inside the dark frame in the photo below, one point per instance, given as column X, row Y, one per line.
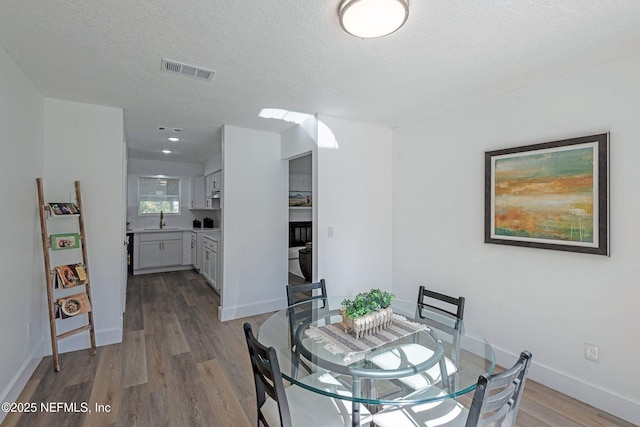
column 546, row 196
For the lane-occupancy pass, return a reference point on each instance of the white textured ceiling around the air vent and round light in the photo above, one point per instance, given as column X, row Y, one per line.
column 292, row 54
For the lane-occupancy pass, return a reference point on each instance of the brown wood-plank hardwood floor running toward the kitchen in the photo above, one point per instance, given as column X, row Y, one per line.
column 178, row 365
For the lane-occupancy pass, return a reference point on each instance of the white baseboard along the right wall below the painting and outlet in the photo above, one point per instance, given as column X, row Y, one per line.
column 606, row 400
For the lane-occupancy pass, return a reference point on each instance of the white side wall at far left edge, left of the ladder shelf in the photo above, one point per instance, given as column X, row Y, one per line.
column 22, row 307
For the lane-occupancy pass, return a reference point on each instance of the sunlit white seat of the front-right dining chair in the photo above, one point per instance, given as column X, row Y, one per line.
column 440, row 413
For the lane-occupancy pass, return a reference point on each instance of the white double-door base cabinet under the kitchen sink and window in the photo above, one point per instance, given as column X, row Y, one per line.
column 160, row 249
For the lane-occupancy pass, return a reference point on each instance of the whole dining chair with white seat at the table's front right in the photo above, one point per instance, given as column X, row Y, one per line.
column 495, row 402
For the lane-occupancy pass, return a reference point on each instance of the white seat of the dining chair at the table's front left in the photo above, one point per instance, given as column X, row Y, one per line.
column 312, row 409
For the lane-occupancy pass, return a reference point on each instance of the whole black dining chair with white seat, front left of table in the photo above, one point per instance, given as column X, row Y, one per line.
column 294, row 405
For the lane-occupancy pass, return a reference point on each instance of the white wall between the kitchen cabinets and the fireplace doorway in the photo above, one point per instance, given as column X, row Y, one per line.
column 255, row 215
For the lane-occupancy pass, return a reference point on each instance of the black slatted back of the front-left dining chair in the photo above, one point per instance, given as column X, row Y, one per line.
column 267, row 378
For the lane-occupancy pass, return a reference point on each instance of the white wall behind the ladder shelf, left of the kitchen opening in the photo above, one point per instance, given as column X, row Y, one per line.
column 85, row 142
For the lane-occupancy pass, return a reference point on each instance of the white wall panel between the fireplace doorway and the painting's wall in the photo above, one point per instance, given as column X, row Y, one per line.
column 353, row 197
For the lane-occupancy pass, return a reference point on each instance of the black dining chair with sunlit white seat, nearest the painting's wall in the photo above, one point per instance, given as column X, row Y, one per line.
column 452, row 309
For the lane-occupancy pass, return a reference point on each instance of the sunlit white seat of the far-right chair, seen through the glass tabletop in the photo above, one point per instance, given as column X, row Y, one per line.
column 414, row 353
